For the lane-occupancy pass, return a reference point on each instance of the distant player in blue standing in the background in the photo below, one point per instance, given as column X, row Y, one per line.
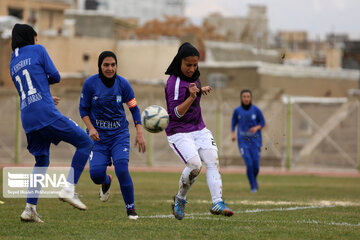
column 250, row 121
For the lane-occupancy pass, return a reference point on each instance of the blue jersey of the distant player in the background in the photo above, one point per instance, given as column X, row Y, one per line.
column 246, row 119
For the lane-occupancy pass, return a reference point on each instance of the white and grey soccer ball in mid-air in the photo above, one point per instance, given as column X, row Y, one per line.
column 155, row 118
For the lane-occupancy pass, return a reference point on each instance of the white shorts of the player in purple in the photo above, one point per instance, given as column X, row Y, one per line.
column 187, row 145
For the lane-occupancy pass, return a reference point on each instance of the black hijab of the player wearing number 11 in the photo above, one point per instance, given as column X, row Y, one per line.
column 22, row 35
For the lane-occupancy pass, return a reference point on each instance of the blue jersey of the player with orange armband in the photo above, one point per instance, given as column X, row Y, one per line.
column 104, row 106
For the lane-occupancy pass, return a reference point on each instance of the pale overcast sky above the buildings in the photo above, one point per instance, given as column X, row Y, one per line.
column 317, row 17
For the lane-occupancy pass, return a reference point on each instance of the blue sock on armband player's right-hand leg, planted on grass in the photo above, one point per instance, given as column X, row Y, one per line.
column 126, row 184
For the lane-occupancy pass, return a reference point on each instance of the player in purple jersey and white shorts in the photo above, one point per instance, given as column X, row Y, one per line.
column 187, row 135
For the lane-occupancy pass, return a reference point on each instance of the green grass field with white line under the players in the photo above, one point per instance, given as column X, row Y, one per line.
column 286, row 207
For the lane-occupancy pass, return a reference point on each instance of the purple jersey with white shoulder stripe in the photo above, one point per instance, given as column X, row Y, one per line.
column 176, row 92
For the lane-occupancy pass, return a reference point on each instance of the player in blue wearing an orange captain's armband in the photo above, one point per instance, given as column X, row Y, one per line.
column 101, row 108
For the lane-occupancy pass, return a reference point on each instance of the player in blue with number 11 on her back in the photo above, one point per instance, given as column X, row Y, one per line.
column 32, row 71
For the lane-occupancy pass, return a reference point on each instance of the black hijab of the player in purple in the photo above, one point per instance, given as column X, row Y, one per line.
column 185, row 50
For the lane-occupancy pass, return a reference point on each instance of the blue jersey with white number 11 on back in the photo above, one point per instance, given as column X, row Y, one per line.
column 32, row 71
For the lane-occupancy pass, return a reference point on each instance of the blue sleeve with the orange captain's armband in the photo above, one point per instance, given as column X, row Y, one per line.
column 129, row 99
